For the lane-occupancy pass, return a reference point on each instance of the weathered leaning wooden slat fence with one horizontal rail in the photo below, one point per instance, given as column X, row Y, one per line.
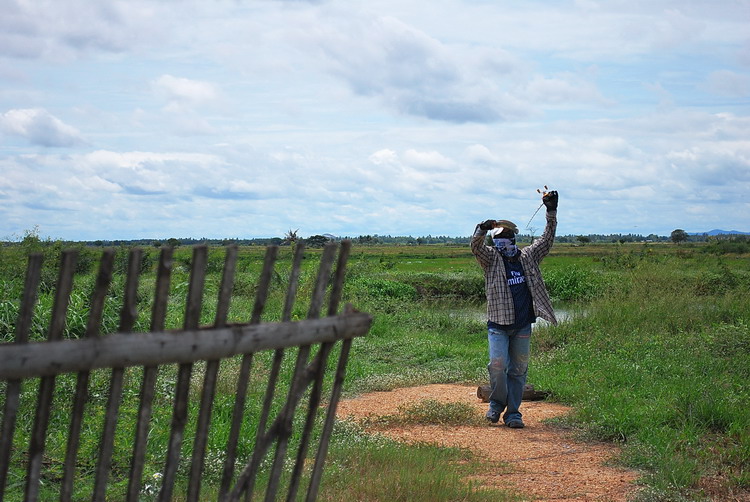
column 37, row 364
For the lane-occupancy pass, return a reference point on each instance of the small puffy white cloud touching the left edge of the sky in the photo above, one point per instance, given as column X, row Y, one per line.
column 39, row 127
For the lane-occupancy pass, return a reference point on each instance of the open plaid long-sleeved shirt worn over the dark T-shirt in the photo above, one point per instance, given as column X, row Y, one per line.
column 499, row 299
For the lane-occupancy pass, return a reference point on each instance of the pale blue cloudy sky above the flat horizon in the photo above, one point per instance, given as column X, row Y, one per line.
column 157, row 119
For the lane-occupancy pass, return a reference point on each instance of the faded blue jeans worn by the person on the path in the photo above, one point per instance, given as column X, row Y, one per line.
column 509, row 362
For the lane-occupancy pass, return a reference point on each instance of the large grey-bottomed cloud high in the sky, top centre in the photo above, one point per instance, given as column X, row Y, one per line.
column 414, row 73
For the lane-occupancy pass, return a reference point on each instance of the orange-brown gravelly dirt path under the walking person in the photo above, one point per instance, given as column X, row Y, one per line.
column 546, row 463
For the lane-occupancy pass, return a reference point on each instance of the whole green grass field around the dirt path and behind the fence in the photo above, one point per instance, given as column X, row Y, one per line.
column 655, row 355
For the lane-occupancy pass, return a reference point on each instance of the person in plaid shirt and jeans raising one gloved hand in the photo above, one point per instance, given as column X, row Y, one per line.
column 516, row 296
